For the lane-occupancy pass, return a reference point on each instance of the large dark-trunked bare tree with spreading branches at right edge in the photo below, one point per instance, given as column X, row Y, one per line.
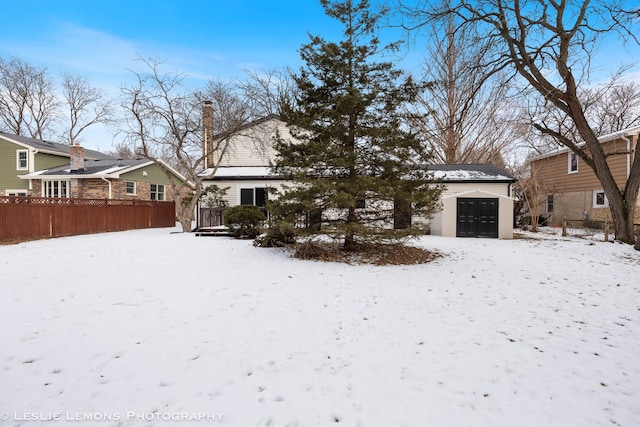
column 533, row 37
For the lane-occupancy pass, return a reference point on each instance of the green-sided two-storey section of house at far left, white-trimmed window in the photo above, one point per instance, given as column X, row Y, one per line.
column 20, row 155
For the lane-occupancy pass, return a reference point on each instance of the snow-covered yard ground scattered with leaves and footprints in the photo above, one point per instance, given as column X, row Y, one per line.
column 151, row 327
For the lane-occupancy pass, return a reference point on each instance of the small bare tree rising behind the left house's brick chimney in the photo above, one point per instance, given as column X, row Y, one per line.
column 87, row 106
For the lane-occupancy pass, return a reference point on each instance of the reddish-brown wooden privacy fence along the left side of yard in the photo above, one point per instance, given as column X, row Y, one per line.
column 28, row 218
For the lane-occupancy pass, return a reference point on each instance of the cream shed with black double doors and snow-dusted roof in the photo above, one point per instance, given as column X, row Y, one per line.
column 477, row 202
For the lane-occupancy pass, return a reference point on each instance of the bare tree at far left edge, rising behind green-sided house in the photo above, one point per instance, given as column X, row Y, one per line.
column 28, row 105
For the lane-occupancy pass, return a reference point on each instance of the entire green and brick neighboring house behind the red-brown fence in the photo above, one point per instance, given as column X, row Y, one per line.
column 32, row 167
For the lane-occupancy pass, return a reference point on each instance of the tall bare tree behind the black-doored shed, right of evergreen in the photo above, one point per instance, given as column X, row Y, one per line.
column 465, row 116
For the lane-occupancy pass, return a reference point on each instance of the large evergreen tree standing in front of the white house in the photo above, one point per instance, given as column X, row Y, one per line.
column 352, row 157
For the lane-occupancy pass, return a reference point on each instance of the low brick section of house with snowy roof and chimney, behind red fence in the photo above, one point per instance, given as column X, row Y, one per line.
column 140, row 179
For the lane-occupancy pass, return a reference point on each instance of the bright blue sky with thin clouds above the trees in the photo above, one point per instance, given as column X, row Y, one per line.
column 204, row 39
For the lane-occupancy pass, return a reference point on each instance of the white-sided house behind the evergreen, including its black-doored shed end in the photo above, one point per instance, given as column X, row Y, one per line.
column 477, row 200
